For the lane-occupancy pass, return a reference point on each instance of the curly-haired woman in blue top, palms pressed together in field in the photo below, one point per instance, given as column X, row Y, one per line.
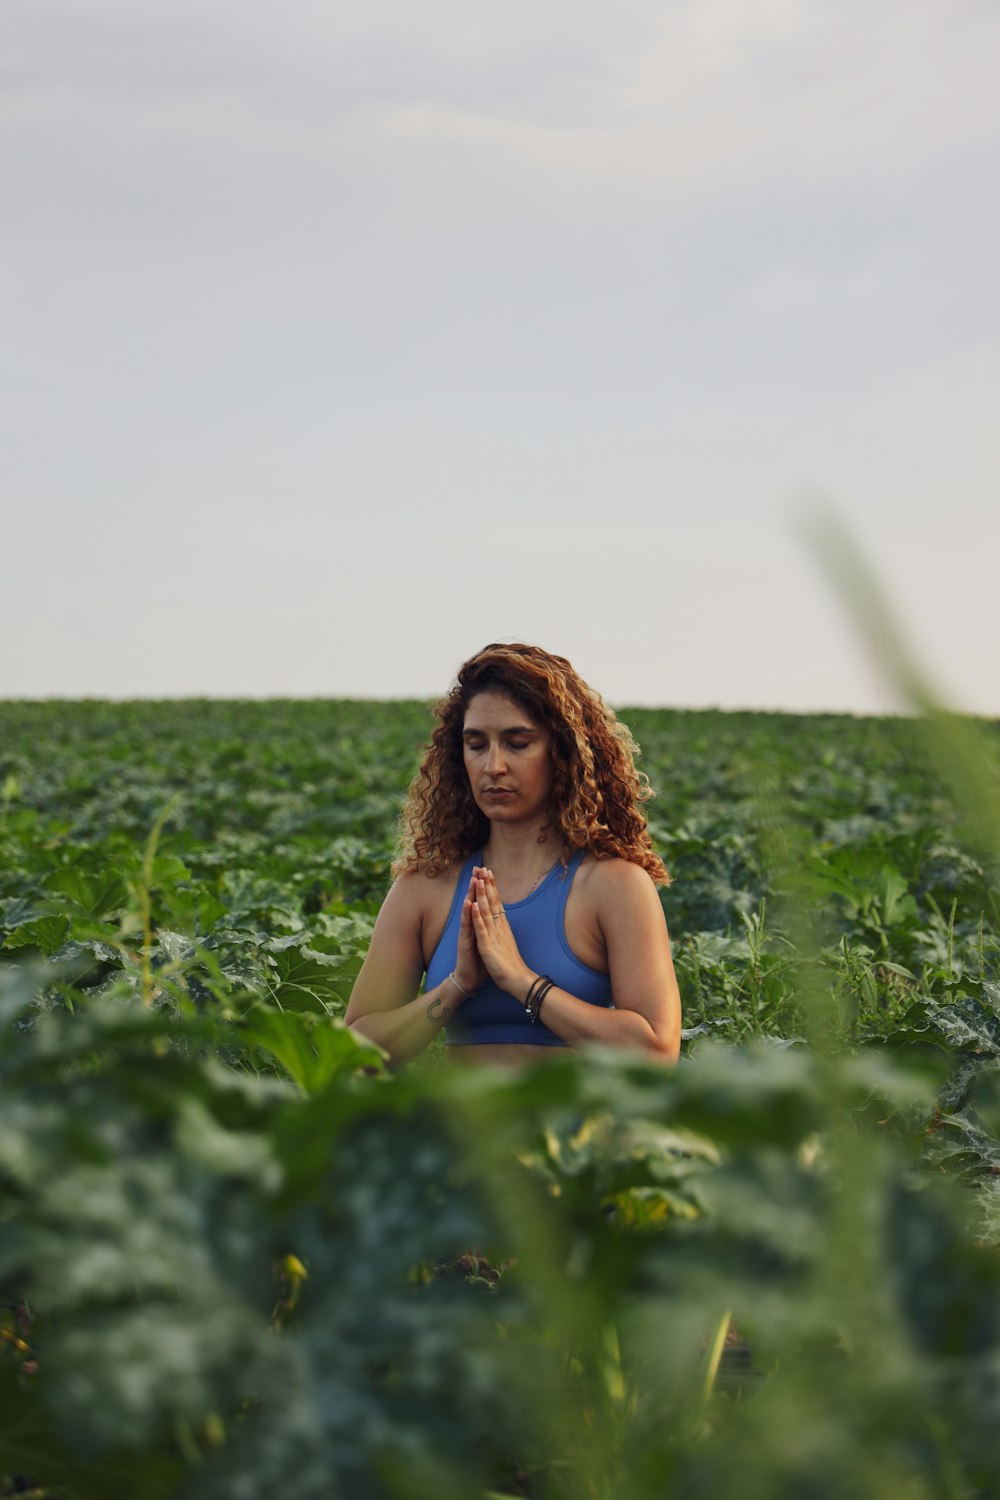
column 527, row 886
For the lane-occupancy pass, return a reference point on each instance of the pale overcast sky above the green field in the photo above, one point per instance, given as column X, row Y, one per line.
column 341, row 340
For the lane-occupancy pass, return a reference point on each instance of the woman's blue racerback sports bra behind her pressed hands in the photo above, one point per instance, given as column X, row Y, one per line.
column 537, row 923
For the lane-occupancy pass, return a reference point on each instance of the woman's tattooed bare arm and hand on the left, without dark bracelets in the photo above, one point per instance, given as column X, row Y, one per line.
column 385, row 1004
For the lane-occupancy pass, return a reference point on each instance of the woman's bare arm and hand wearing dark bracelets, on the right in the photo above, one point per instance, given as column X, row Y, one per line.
column 647, row 1000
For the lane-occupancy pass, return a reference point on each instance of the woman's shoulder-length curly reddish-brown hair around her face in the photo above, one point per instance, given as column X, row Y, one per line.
column 597, row 793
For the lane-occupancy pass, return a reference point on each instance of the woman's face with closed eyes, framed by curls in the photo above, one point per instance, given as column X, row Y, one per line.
column 509, row 760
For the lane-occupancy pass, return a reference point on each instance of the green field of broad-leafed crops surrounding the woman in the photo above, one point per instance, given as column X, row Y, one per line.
column 239, row 1259
